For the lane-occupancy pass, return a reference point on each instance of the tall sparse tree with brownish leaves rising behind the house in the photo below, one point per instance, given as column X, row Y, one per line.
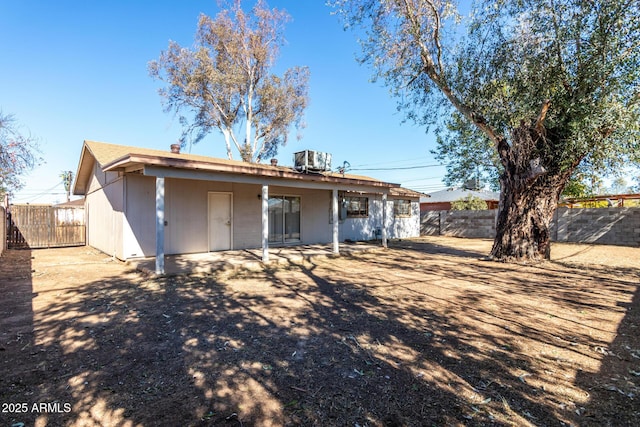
column 224, row 82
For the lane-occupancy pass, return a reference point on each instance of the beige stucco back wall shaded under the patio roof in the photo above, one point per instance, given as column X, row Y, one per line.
column 186, row 214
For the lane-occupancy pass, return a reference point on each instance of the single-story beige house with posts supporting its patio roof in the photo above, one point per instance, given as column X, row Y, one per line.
column 151, row 203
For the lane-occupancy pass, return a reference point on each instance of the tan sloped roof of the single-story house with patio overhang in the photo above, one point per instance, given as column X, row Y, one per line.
column 120, row 158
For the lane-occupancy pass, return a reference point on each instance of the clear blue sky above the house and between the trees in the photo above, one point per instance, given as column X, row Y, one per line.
column 76, row 70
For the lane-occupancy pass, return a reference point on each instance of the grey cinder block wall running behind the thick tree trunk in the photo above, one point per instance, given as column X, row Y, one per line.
column 610, row 226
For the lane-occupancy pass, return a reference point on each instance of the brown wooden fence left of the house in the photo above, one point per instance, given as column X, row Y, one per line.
column 38, row 226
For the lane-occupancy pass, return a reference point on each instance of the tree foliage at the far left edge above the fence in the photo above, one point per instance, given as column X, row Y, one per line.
column 18, row 154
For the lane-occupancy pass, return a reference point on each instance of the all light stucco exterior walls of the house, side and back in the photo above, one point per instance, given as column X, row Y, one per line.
column 121, row 215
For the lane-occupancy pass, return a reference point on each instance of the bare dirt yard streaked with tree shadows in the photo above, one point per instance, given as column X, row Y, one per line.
column 424, row 333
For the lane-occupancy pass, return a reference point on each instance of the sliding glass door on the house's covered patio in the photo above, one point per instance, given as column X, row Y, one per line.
column 284, row 219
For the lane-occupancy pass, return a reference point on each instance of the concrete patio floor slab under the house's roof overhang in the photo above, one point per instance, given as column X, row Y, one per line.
column 249, row 259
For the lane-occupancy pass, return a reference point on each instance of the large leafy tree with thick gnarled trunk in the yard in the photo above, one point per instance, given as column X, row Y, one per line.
column 550, row 83
